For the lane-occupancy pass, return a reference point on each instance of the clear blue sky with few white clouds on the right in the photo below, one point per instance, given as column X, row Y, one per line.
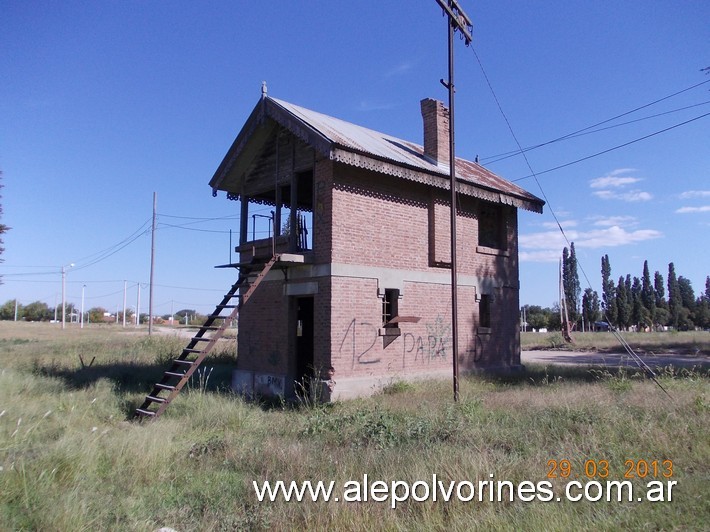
column 103, row 103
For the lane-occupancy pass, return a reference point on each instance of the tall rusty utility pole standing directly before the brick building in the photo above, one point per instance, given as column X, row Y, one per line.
column 458, row 20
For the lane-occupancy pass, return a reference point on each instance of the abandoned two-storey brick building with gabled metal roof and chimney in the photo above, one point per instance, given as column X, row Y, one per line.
column 360, row 221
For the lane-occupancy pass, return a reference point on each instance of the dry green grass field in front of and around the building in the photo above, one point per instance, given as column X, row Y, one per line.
column 71, row 460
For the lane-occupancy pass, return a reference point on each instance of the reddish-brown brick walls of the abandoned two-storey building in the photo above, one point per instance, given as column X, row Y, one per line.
column 370, row 230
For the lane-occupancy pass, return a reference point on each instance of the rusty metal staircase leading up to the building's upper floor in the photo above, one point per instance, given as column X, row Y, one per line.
column 200, row 346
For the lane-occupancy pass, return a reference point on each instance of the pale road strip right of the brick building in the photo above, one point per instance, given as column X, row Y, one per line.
column 611, row 359
